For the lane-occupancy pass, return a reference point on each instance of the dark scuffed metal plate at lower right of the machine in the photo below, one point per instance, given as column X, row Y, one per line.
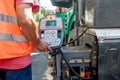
column 108, row 60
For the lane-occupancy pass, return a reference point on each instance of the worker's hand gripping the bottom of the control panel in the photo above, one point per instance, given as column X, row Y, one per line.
column 43, row 46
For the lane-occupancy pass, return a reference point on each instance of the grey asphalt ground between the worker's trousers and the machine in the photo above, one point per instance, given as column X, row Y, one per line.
column 40, row 69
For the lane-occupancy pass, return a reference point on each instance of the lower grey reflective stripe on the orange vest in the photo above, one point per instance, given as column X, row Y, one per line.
column 12, row 37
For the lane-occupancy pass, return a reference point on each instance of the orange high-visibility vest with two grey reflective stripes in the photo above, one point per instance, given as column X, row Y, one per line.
column 12, row 41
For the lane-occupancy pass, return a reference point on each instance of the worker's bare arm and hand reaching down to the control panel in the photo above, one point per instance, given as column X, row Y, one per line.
column 28, row 25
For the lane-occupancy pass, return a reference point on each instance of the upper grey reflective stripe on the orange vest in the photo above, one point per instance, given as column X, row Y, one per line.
column 7, row 18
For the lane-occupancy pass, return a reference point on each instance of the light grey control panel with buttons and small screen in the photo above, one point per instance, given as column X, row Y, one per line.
column 51, row 30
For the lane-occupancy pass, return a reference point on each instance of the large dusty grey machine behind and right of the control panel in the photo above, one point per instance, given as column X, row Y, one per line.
column 98, row 54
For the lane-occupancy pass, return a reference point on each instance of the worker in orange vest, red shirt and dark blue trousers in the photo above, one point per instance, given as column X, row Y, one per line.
column 18, row 37
